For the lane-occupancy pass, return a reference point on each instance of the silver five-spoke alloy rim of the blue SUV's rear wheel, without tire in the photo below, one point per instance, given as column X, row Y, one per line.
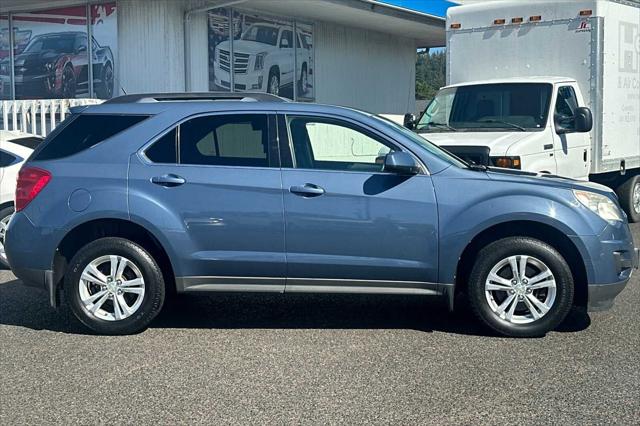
column 111, row 288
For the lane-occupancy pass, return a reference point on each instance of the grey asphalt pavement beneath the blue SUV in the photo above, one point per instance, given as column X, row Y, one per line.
column 312, row 359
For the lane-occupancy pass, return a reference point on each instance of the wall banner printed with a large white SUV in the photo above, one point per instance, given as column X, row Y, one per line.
column 264, row 54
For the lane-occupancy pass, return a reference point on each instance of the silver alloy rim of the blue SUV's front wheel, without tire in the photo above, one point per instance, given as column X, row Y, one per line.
column 520, row 289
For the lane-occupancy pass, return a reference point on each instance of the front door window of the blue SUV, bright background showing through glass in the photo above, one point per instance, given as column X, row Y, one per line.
column 332, row 145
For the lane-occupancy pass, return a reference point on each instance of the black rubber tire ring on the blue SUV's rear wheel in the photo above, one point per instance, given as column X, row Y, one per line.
column 152, row 300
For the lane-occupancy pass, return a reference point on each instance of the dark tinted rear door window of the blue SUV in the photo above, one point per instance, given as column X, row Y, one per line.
column 227, row 140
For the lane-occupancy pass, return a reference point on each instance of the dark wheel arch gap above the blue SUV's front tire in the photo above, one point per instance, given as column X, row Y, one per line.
column 525, row 228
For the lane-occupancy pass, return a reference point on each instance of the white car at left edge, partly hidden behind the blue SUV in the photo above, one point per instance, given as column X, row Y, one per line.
column 15, row 148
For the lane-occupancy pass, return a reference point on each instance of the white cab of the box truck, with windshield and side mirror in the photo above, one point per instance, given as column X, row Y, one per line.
column 535, row 124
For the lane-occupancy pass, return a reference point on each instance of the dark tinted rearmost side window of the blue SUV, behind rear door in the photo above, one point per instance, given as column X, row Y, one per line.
column 83, row 132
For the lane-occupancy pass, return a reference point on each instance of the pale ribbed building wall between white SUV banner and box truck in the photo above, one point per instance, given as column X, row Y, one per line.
column 364, row 69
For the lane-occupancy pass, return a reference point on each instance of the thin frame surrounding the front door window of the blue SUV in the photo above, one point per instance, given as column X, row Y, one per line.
column 286, row 147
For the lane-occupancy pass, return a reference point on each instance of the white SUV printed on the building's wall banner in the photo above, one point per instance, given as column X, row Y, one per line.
column 263, row 60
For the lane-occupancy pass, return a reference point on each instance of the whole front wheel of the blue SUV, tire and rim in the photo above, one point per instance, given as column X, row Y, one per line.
column 520, row 287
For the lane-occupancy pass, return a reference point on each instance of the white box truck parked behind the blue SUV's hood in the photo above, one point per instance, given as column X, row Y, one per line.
column 544, row 86
